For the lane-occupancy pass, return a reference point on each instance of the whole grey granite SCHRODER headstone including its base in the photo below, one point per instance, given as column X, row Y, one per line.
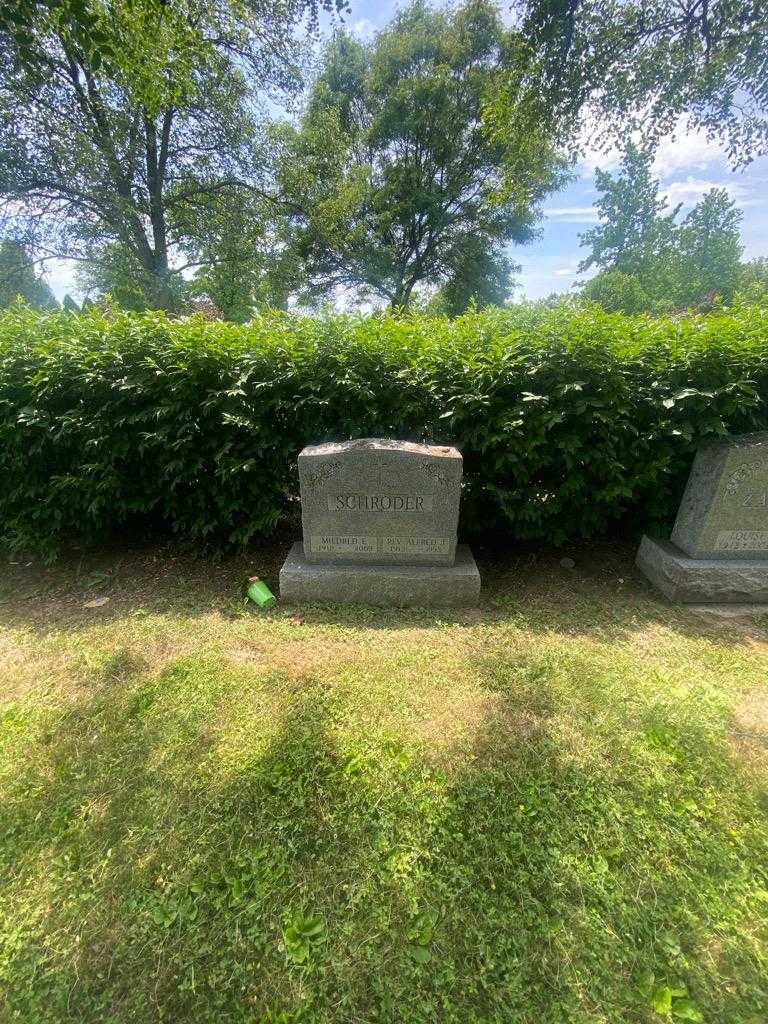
column 379, row 525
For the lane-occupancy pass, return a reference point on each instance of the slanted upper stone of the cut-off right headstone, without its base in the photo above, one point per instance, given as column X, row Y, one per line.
column 724, row 511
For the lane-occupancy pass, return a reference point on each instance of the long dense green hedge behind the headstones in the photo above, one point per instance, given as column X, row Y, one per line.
column 572, row 423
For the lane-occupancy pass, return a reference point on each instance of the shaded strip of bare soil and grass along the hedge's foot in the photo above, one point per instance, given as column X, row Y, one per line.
column 604, row 596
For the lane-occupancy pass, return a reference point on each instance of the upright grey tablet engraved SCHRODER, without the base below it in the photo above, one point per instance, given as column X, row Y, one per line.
column 380, row 502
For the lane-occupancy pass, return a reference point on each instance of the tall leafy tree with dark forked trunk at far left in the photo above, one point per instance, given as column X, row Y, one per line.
column 117, row 125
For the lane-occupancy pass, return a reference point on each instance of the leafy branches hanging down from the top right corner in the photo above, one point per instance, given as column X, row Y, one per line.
column 596, row 70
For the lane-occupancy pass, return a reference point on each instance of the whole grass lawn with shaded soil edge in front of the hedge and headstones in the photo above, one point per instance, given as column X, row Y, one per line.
column 549, row 810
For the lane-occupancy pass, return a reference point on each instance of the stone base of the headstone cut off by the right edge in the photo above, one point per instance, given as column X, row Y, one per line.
column 703, row 581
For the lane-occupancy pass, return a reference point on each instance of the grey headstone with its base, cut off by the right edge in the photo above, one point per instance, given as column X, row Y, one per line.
column 719, row 547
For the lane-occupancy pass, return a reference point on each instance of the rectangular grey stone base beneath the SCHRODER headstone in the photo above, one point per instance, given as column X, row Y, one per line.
column 389, row 586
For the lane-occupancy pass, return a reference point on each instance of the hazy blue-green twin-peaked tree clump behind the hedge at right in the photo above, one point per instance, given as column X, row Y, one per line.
column 677, row 265
